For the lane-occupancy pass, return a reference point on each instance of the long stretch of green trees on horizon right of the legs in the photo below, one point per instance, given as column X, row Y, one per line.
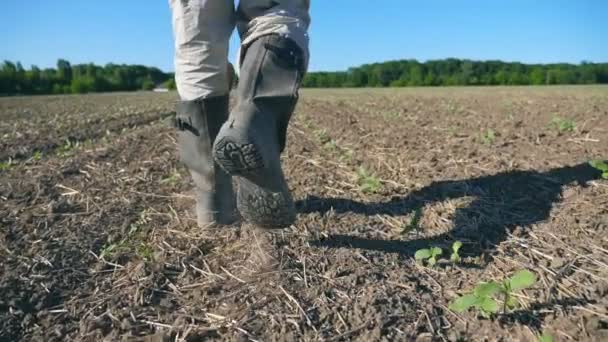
column 452, row 72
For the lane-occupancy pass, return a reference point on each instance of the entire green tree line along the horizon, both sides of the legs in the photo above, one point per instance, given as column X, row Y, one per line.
column 87, row 78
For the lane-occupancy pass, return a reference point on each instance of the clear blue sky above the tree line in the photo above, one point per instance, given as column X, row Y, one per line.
column 343, row 33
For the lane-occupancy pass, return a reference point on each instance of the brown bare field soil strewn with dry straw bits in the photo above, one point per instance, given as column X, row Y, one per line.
column 97, row 240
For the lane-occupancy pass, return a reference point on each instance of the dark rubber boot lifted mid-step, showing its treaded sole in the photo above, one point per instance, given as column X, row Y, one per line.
column 249, row 144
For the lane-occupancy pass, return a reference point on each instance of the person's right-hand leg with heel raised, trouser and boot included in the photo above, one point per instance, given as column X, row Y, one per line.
column 273, row 60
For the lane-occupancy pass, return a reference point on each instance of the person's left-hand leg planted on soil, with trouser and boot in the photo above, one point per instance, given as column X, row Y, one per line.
column 202, row 29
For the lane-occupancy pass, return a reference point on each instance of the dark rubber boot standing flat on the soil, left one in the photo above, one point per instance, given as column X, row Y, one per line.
column 198, row 123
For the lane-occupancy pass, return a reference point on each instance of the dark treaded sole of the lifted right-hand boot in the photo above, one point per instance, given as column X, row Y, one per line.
column 256, row 203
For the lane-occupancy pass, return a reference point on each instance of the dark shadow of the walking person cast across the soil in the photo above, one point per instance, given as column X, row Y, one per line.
column 502, row 202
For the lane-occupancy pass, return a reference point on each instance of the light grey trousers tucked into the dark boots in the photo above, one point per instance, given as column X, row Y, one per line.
column 202, row 29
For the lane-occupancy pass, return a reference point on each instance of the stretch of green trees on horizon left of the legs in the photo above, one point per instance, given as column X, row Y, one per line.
column 81, row 78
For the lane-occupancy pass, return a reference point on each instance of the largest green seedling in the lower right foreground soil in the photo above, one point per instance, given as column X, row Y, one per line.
column 482, row 297
